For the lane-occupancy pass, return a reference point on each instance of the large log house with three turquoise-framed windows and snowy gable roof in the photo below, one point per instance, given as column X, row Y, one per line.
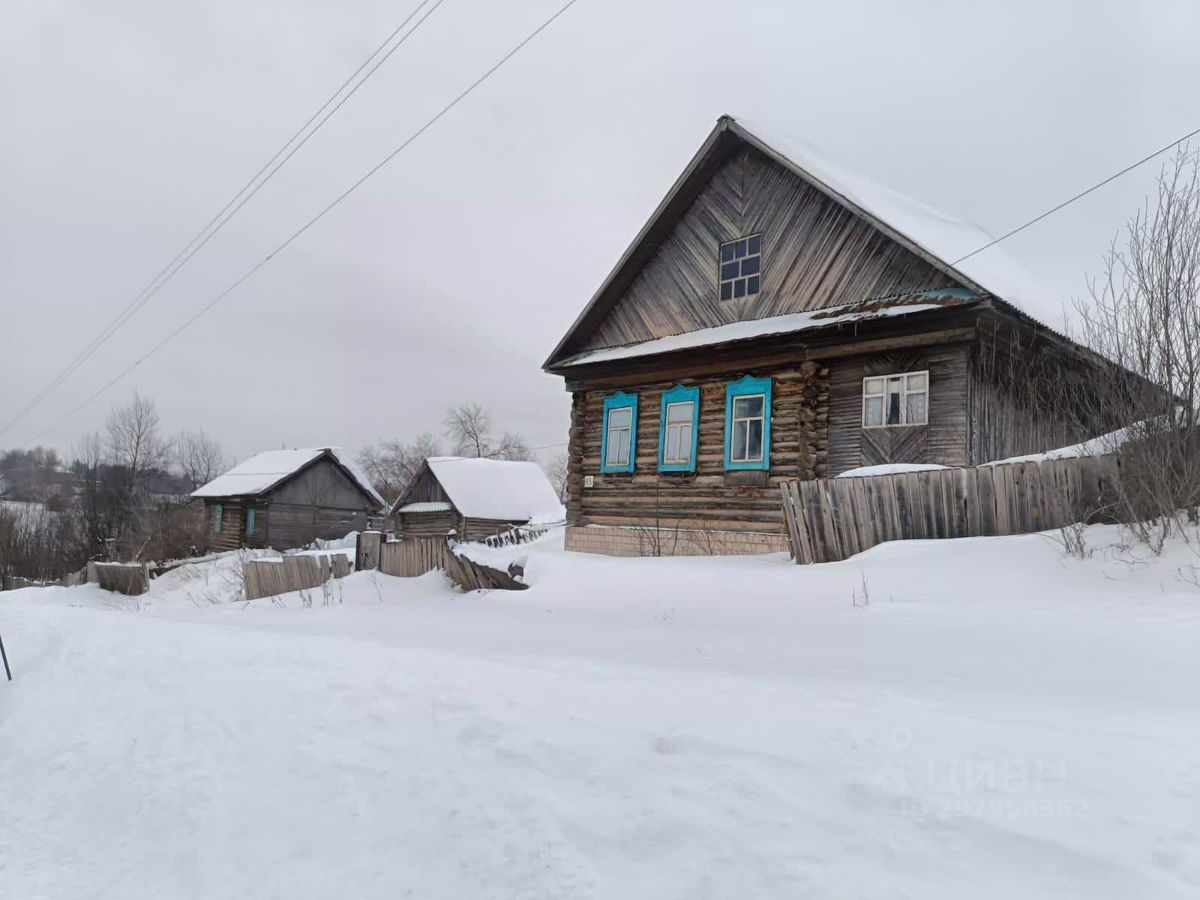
column 778, row 319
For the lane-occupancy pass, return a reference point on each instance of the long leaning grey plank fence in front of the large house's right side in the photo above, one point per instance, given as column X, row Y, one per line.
column 836, row 519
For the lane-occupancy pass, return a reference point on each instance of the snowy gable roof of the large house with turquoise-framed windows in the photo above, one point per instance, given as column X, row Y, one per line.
column 935, row 237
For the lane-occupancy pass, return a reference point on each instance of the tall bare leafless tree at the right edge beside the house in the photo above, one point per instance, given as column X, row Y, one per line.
column 1144, row 315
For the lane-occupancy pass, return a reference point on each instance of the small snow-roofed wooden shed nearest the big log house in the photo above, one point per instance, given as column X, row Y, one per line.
column 475, row 499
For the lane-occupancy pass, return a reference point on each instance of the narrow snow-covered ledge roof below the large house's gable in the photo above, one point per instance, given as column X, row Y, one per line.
column 752, row 328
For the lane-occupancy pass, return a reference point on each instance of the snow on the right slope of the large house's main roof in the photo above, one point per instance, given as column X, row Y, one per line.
column 939, row 235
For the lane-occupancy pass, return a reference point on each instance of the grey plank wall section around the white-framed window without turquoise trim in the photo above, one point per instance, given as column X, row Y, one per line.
column 944, row 441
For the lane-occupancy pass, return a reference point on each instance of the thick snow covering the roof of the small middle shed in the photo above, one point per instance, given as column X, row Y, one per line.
column 497, row 489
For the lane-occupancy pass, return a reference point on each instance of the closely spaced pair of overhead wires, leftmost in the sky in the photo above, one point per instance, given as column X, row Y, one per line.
column 229, row 212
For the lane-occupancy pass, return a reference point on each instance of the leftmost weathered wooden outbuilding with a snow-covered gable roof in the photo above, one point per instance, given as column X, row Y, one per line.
column 287, row 499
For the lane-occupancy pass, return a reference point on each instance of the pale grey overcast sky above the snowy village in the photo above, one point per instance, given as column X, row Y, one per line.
column 452, row 274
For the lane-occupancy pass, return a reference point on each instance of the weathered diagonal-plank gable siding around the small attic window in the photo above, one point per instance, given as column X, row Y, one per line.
column 817, row 254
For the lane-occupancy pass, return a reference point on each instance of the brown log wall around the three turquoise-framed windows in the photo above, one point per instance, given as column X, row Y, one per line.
column 711, row 499
